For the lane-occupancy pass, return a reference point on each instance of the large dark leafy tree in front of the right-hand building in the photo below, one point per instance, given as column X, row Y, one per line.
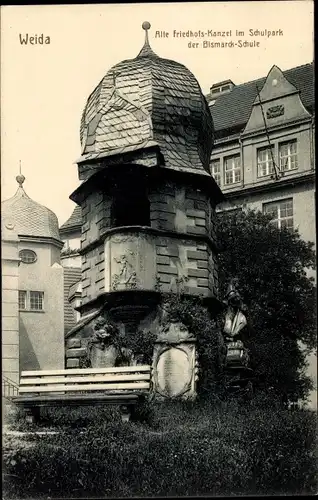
column 271, row 267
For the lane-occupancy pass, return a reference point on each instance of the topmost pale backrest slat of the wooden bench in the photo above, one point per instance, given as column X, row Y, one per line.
column 86, row 371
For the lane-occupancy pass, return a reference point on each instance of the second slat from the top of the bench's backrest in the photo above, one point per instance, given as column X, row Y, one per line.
column 85, row 379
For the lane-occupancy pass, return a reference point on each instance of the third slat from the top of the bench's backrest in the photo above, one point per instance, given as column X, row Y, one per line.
column 84, row 387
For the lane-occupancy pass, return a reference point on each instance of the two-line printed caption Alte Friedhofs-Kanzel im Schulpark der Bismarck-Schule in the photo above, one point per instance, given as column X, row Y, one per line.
column 221, row 39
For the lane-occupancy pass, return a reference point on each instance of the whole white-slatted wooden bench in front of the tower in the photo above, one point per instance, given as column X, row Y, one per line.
column 123, row 386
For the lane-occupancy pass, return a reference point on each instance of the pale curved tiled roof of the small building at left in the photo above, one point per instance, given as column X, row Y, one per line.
column 30, row 218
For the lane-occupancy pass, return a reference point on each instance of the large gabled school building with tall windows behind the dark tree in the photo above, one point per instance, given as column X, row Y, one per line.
column 263, row 155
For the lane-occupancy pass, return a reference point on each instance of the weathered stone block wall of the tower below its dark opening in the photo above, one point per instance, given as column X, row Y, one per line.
column 120, row 260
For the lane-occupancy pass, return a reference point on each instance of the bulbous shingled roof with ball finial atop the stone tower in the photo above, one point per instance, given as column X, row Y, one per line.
column 149, row 101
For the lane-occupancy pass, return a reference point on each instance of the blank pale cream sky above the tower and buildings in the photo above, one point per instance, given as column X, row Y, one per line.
column 44, row 87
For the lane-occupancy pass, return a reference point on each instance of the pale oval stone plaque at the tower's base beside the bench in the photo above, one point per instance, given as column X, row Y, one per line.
column 174, row 372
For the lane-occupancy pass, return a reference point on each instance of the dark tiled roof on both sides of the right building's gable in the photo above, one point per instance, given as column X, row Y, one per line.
column 232, row 110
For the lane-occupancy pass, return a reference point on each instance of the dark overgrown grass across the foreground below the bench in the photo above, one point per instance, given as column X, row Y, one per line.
column 191, row 449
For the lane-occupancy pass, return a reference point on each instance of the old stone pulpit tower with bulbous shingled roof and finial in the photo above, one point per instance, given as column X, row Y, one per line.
column 147, row 196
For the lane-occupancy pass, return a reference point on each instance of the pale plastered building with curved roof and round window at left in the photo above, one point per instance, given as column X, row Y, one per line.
column 32, row 288
